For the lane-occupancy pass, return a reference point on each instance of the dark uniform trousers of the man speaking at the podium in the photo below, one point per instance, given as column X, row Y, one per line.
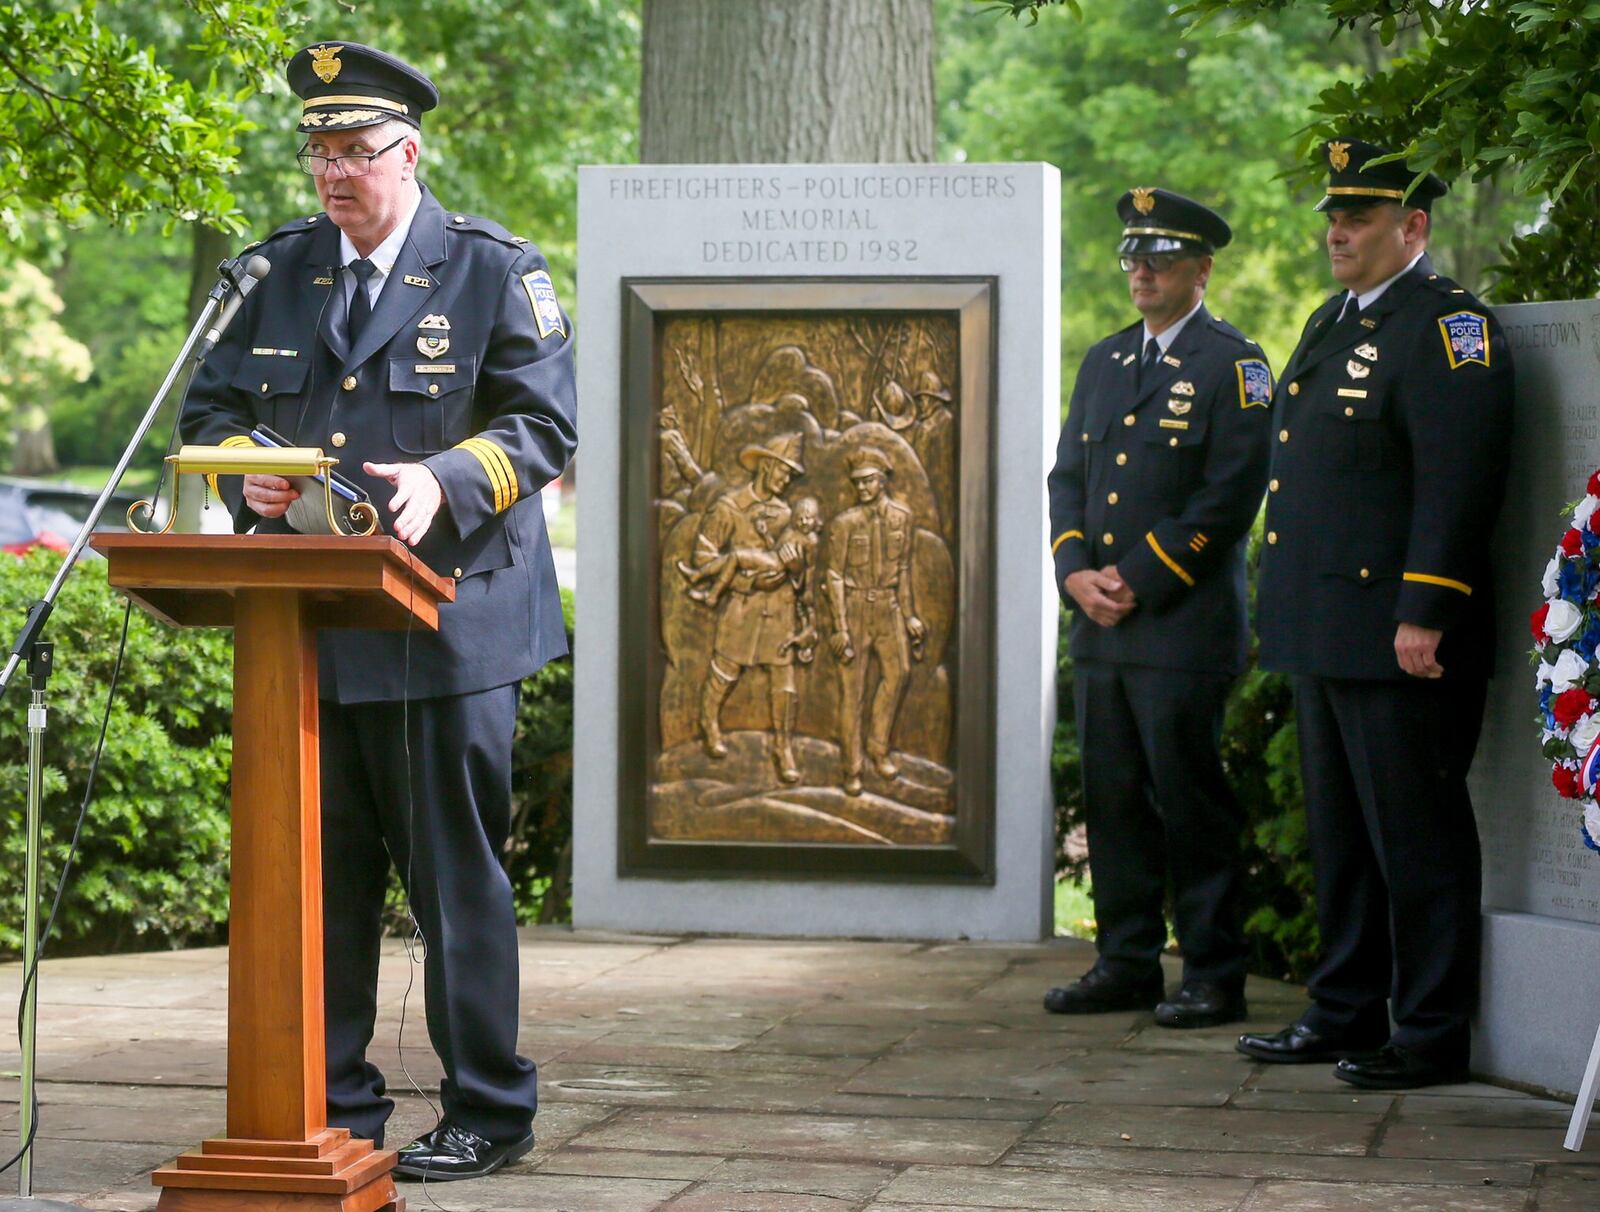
column 457, row 805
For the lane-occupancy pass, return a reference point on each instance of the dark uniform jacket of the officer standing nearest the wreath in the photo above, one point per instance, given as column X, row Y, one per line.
column 1390, row 455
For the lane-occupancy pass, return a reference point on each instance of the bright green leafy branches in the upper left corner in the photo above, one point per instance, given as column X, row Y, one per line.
column 92, row 122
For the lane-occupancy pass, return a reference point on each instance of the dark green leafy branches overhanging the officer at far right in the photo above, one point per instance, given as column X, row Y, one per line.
column 1500, row 90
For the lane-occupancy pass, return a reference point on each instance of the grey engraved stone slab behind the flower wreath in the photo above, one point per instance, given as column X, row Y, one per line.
column 1542, row 887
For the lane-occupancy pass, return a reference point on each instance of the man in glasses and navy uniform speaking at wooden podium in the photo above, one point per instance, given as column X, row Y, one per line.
column 428, row 351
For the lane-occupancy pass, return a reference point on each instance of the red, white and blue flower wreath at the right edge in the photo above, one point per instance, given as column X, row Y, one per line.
column 1567, row 634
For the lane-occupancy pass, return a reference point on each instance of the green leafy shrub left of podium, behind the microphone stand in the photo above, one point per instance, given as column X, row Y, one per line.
column 153, row 867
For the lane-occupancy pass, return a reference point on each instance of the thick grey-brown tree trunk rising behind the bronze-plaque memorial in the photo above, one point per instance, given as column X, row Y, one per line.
column 788, row 82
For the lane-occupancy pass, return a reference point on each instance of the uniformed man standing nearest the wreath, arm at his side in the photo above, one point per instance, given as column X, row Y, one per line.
column 1390, row 456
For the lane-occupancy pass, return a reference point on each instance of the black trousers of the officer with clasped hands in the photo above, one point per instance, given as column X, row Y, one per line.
column 1158, row 802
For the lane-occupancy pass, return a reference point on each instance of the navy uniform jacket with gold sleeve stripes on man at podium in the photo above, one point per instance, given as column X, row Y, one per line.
column 492, row 415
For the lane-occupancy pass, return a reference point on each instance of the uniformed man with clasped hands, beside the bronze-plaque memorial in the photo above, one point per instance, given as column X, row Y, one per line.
column 1158, row 480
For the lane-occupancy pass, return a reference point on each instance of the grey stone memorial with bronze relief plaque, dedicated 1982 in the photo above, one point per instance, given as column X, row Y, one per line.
column 817, row 629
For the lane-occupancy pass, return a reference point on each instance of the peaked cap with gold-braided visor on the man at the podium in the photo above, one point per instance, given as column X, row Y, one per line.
column 346, row 86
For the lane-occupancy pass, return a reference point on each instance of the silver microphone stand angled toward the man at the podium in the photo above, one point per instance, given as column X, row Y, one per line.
column 33, row 648
